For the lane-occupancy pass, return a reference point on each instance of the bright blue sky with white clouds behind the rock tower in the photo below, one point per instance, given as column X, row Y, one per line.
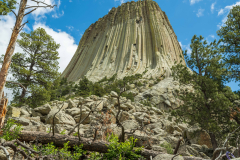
column 67, row 22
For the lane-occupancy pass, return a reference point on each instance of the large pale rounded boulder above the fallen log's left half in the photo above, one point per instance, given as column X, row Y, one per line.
column 60, row 118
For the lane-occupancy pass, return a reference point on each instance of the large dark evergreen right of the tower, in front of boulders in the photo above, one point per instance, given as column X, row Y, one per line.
column 209, row 104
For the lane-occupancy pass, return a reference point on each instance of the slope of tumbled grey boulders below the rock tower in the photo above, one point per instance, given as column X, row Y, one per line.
column 159, row 126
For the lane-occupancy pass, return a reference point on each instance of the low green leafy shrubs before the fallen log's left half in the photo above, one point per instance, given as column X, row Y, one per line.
column 51, row 149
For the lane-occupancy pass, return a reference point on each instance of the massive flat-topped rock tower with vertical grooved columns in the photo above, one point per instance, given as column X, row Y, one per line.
column 130, row 39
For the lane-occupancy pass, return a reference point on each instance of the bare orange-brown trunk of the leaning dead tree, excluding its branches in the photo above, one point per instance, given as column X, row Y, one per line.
column 11, row 47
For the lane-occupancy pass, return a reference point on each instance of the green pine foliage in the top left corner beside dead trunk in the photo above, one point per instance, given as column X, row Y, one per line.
column 6, row 6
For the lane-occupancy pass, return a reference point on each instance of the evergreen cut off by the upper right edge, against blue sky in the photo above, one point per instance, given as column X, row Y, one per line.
column 230, row 38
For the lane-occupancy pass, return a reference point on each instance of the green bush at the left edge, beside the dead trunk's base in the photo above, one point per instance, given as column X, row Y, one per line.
column 9, row 135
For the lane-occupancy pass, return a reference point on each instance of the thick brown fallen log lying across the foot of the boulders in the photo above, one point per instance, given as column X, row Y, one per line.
column 88, row 144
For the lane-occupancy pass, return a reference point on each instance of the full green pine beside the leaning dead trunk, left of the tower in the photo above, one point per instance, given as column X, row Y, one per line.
column 36, row 68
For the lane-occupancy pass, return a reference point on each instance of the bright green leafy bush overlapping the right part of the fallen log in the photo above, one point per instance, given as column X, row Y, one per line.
column 122, row 150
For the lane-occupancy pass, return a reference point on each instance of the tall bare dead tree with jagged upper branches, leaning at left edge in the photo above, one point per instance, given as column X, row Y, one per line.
column 12, row 43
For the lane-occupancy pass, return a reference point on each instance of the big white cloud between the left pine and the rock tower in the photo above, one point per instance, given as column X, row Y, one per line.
column 67, row 48
